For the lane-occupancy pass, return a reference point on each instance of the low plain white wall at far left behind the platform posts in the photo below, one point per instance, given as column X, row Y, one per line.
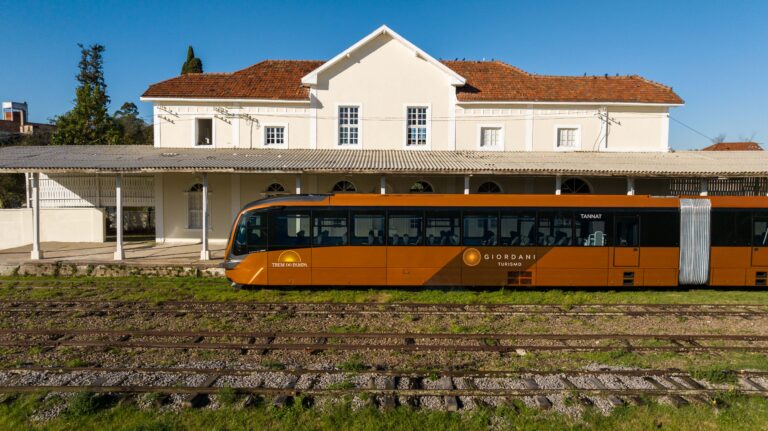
column 56, row 225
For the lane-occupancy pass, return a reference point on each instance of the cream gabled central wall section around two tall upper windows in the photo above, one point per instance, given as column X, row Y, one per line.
column 384, row 77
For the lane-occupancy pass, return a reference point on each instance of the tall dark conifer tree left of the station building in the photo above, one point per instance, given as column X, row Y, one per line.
column 88, row 123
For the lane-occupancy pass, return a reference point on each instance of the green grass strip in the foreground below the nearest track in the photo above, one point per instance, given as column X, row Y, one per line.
column 740, row 413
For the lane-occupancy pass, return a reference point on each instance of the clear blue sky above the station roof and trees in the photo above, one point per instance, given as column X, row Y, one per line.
column 713, row 53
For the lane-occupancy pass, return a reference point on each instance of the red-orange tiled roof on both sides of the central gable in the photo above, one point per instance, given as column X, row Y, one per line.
column 486, row 81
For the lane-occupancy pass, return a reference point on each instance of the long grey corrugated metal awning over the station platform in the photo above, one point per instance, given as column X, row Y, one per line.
column 122, row 158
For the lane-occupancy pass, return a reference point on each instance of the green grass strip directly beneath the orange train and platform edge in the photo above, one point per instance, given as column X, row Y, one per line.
column 202, row 289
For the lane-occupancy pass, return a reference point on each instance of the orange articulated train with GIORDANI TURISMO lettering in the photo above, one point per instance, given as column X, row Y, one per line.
column 499, row 240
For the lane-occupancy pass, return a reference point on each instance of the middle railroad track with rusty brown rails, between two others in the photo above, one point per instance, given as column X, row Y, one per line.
column 314, row 342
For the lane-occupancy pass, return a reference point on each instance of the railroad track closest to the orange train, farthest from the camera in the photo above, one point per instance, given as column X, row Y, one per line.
column 180, row 308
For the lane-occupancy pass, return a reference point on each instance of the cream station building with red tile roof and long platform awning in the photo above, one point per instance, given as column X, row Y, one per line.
column 382, row 116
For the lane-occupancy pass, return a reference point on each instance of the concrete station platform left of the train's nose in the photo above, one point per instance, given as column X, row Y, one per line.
column 96, row 259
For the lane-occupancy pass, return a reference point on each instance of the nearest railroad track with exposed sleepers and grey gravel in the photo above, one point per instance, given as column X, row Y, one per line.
column 450, row 390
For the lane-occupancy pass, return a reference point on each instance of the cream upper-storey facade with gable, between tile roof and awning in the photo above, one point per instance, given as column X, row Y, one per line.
column 382, row 76
